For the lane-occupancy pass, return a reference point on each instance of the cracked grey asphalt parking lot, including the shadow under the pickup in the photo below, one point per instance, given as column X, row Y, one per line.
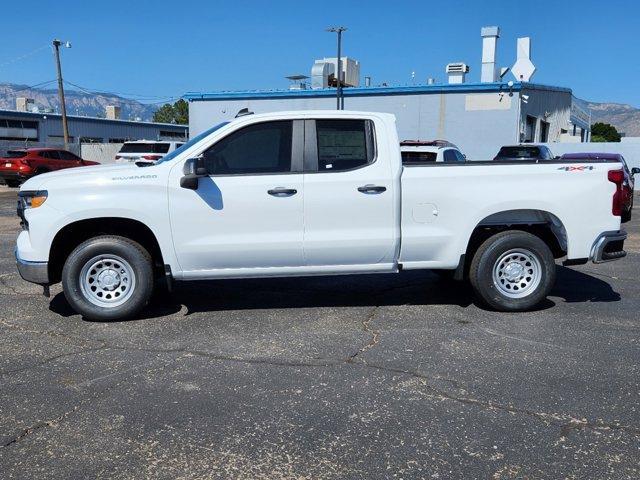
column 399, row 376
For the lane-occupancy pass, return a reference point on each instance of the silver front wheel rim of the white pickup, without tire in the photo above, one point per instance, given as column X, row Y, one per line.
column 107, row 281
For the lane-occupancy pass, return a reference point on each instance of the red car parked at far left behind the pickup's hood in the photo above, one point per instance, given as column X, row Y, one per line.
column 18, row 165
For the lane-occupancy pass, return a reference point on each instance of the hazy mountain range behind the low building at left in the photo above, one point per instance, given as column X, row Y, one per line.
column 78, row 102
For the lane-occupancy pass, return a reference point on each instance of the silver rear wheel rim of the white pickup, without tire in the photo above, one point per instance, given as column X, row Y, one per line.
column 517, row 273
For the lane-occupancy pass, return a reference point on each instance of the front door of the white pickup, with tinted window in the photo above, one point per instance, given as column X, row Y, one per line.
column 247, row 214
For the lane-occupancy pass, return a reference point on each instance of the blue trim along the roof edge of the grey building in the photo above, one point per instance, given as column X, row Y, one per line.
column 367, row 91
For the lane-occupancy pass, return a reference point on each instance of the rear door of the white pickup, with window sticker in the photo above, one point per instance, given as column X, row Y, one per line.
column 349, row 216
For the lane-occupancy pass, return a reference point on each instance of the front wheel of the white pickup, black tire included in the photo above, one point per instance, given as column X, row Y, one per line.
column 112, row 250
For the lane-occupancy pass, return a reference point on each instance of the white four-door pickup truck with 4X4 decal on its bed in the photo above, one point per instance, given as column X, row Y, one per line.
column 312, row 193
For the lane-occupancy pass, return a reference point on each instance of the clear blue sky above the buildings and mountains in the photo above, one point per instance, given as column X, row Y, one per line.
column 163, row 49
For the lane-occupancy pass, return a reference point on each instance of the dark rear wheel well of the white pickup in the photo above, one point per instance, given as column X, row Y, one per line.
column 543, row 225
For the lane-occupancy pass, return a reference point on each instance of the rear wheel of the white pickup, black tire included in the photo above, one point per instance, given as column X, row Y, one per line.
column 522, row 281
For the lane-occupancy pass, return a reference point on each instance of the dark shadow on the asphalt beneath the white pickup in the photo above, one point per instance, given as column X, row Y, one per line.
column 407, row 288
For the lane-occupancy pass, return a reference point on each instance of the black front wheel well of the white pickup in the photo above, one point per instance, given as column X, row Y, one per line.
column 72, row 235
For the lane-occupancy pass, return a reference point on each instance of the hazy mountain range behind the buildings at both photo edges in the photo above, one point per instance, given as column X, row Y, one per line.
column 624, row 117
